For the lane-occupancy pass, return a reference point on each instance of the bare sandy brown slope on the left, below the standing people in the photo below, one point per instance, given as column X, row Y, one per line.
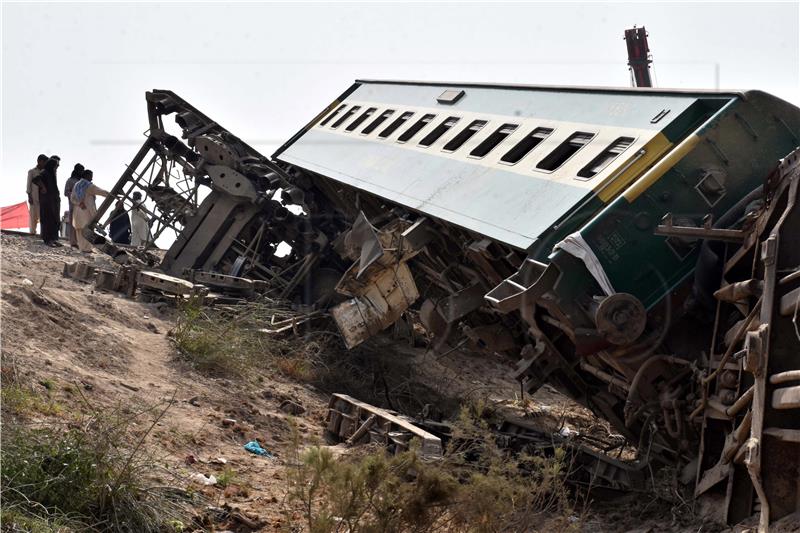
column 116, row 350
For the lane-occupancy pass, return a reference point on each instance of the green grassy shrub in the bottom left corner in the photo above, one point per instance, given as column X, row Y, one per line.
column 88, row 476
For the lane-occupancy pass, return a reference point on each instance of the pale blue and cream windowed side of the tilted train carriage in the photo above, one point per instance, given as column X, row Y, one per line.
column 505, row 161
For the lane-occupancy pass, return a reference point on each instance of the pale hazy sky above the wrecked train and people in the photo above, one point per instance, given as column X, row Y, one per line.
column 74, row 75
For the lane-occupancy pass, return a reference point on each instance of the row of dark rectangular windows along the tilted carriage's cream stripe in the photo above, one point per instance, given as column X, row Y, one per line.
column 551, row 162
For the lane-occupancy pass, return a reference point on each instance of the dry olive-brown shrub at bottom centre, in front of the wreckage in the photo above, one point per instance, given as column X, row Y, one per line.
column 476, row 486
